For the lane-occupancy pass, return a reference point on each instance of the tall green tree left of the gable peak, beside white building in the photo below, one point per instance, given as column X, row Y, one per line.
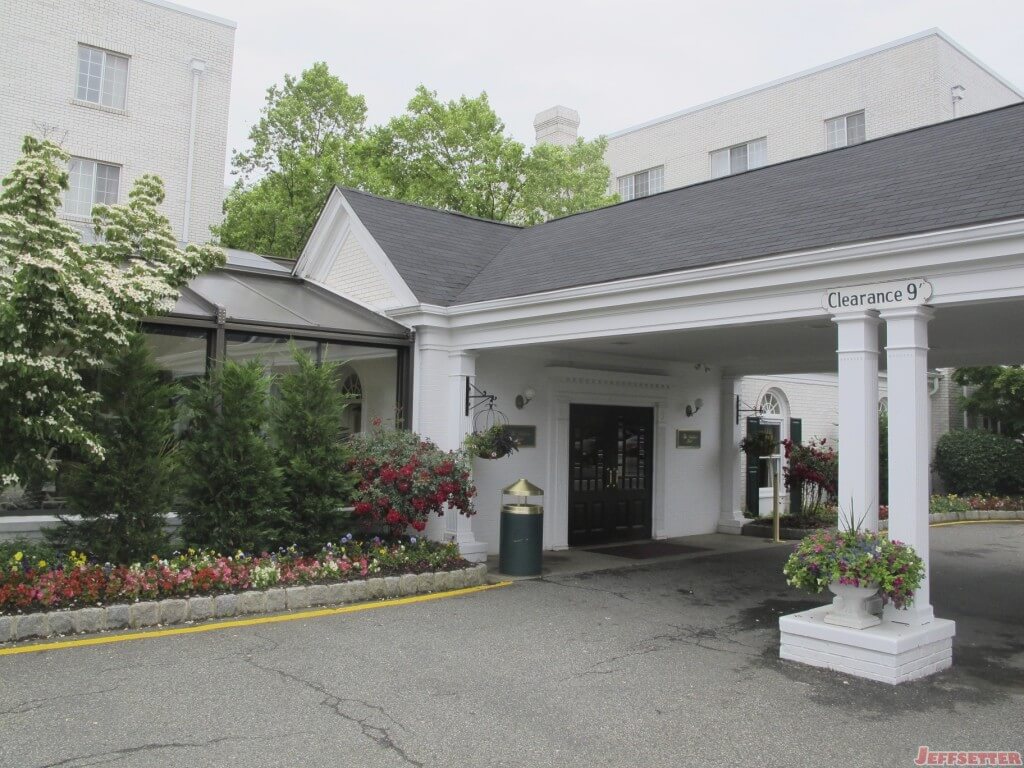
column 300, row 151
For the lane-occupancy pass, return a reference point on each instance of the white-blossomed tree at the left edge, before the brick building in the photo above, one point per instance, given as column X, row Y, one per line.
column 65, row 306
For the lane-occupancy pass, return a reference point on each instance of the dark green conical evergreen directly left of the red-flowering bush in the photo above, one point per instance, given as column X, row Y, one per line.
column 310, row 439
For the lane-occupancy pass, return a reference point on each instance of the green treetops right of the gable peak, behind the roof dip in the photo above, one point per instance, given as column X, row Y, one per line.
column 457, row 156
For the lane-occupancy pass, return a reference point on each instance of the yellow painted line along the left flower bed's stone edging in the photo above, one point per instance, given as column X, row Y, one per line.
column 277, row 619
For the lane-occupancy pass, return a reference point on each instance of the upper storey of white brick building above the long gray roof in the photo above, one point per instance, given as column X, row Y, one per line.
column 916, row 81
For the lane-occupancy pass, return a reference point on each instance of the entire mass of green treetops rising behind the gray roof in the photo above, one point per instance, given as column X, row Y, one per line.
column 453, row 155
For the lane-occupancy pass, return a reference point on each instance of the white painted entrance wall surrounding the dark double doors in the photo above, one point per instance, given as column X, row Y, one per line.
column 687, row 497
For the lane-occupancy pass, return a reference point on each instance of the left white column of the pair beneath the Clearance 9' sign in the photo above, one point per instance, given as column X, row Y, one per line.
column 859, row 419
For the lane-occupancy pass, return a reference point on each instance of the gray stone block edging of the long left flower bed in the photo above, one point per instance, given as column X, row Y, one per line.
column 181, row 611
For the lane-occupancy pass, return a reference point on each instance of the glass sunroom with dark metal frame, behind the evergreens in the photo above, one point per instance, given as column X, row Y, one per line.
column 255, row 308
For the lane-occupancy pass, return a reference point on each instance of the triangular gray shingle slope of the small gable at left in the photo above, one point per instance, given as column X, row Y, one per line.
column 438, row 253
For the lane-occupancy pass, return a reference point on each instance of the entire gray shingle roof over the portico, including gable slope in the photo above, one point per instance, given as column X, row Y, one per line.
column 957, row 174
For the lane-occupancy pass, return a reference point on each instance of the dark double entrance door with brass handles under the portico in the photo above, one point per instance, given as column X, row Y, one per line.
column 611, row 471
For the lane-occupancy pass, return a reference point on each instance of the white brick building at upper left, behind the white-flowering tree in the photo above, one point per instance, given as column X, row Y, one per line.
column 127, row 88
